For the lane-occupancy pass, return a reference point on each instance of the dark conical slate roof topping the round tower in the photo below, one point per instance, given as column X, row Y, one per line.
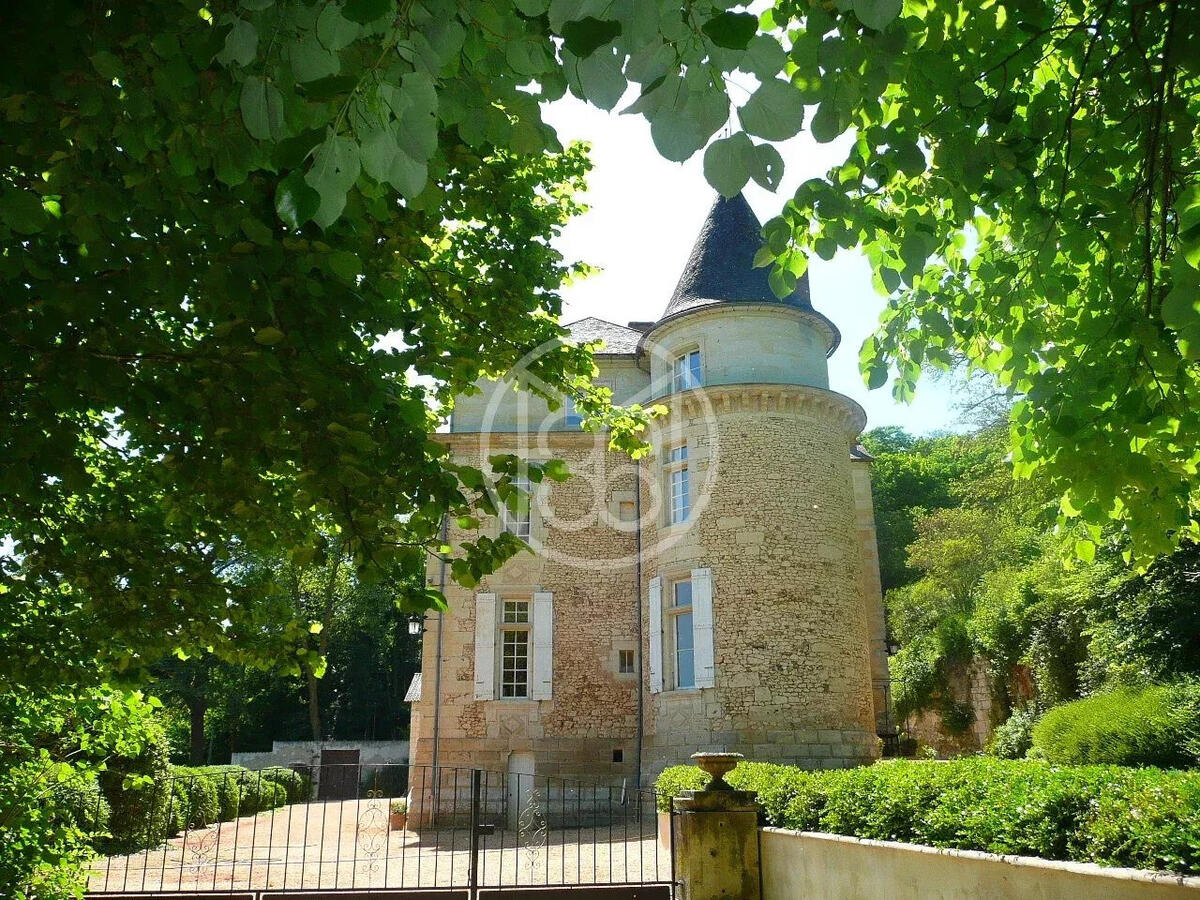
column 721, row 269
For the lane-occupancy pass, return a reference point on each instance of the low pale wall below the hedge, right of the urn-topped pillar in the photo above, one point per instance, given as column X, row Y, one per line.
column 805, row 865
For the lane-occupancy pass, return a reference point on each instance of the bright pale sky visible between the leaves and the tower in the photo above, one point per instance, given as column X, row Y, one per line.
column 644, row 219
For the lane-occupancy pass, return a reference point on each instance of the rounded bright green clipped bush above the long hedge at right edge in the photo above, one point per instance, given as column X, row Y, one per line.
column 1129, row 727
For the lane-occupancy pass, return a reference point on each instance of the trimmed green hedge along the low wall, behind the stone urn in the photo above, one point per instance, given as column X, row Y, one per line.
column 1145, row 819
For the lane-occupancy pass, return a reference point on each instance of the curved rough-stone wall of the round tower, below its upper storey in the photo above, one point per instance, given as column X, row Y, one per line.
column 776, row 520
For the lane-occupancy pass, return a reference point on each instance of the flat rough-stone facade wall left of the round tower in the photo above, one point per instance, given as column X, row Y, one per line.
column 586, row 560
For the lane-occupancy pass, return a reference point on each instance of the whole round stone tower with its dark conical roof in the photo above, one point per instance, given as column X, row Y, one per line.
column 759, row 625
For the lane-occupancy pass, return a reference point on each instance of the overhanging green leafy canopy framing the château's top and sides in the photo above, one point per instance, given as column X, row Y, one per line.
column 213, row 214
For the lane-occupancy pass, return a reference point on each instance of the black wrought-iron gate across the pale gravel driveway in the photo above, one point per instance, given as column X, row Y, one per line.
column 466, row 833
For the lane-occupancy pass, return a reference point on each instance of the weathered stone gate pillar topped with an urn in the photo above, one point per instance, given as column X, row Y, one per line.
column 716, row 838
